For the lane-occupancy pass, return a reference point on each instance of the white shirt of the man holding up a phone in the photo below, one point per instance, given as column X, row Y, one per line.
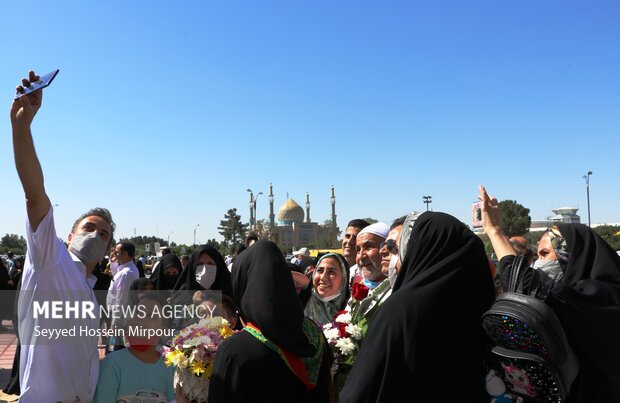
column 67, row 367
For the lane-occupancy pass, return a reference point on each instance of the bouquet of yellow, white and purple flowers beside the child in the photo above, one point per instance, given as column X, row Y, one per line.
column 192, row 353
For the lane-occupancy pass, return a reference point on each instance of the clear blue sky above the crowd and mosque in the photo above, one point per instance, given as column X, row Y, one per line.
column 166, row 112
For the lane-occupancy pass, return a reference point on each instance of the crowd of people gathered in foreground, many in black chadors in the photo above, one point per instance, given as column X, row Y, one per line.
column 409, row 298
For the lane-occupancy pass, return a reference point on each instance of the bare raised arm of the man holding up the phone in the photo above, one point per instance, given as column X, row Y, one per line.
column 27, row 163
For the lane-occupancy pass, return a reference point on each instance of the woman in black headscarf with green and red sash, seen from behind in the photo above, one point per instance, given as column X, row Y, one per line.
column 279, row 356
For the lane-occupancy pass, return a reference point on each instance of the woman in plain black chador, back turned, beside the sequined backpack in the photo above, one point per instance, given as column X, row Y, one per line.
column 425, row 343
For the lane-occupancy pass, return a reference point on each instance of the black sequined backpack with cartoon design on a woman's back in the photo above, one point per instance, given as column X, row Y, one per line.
column 530, row 351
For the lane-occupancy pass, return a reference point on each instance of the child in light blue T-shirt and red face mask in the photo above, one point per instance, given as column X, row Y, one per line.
column 138, row 370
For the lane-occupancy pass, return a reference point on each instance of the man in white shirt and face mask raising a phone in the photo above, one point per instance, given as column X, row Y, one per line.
column 64, row 368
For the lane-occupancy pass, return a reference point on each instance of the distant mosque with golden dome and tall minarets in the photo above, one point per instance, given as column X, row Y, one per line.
column 294, row 229
